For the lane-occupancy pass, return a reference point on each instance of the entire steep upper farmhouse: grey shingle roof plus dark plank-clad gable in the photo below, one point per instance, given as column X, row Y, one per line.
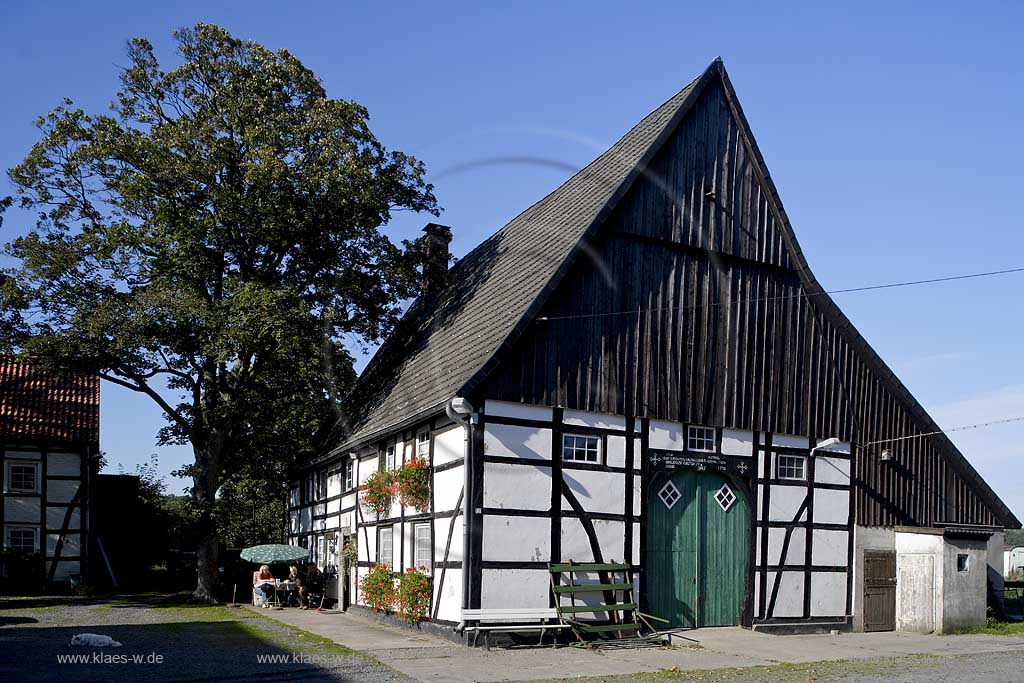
column 826, row 379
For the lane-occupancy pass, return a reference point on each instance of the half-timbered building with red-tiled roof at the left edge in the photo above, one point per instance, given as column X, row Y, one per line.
column 50, row 443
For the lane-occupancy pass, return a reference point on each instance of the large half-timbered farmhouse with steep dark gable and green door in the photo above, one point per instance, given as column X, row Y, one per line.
column 642, row 368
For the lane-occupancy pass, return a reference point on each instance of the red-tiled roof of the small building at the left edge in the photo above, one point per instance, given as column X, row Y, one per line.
column 41, row 406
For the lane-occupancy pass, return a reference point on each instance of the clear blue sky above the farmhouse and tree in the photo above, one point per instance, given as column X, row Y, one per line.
column 892, row 133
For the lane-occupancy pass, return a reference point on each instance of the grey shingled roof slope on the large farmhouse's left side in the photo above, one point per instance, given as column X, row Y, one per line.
column 443, row 344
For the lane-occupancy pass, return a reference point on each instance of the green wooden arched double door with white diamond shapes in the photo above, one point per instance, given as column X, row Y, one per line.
column 698, row 536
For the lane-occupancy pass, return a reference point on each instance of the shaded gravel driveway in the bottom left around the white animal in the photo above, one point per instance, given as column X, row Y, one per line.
column 167, row 643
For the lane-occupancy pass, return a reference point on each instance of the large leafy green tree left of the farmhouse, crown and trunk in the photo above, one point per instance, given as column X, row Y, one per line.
column 210, row 244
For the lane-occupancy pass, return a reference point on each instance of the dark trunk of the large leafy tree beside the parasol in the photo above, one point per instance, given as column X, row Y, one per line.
column 205, row 483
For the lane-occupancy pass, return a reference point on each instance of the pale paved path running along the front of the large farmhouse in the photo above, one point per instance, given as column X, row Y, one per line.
column 430, row 659
